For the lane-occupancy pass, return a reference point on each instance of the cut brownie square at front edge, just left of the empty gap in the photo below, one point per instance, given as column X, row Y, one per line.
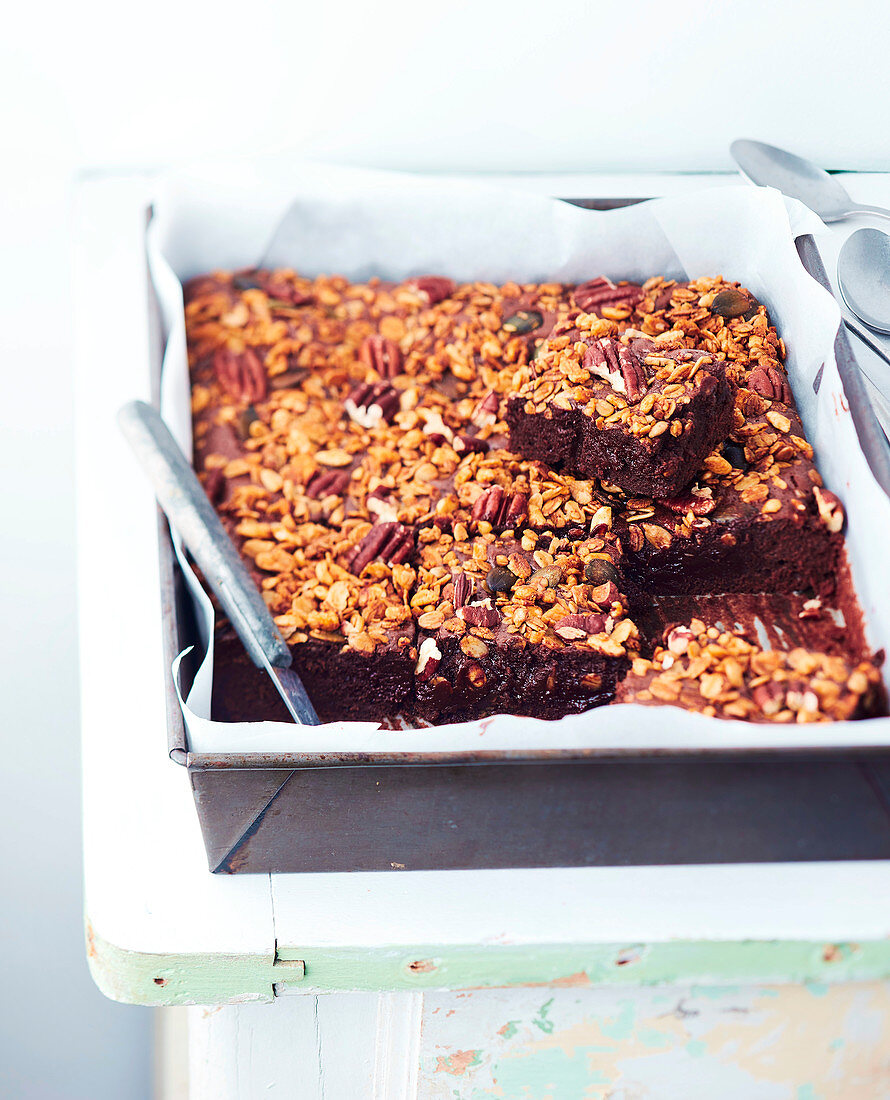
column 534, row 625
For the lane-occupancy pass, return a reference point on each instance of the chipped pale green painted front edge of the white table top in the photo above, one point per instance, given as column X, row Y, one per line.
column 144, row 978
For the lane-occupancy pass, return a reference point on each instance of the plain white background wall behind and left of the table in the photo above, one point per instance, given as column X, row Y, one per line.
column 102, row 86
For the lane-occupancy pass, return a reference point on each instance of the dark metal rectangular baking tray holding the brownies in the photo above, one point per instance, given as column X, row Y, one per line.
column 263, row 812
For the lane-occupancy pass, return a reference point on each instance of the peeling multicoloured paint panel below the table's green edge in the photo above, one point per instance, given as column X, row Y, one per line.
column 806, row 1042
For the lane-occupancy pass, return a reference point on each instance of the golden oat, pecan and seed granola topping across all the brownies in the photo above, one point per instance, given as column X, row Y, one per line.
column 354, row 441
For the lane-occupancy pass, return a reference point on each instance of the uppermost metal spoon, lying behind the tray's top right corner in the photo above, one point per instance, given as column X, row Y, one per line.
column 770, row 167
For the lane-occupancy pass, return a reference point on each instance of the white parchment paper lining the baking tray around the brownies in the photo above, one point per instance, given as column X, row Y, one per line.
column 362, row 224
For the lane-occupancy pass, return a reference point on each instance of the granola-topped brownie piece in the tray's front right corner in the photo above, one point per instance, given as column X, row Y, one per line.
column 720, row 674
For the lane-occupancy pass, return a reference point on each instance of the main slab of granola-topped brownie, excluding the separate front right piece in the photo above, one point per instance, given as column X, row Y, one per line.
column 419, row 555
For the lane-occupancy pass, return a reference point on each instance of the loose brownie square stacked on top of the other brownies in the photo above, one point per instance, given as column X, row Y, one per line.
column 638, row 412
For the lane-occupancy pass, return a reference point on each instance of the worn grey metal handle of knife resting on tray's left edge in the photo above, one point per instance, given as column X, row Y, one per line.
column 185, row 503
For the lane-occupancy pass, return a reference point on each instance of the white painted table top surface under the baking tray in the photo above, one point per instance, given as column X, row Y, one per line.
column 148, row 889
